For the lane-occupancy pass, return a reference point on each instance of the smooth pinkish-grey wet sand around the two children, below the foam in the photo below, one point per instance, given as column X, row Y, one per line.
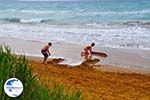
column 133, row 58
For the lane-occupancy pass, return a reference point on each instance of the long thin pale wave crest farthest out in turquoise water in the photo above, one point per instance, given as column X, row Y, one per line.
column 78, row 11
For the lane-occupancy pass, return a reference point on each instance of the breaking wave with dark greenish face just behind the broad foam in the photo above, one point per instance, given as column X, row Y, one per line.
column 88, row 23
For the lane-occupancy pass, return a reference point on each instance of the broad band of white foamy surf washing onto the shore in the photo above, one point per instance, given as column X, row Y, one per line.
column 132, row 37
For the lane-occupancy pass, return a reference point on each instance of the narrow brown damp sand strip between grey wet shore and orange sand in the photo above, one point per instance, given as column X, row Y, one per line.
column 97, row 66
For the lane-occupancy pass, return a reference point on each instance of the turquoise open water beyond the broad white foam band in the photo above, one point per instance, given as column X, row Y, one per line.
column 76, row 12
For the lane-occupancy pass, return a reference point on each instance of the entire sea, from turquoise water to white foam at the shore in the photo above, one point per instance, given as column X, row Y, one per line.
column 108, row 23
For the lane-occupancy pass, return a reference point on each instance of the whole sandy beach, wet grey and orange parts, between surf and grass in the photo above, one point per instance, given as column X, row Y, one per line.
column 123, row 75
